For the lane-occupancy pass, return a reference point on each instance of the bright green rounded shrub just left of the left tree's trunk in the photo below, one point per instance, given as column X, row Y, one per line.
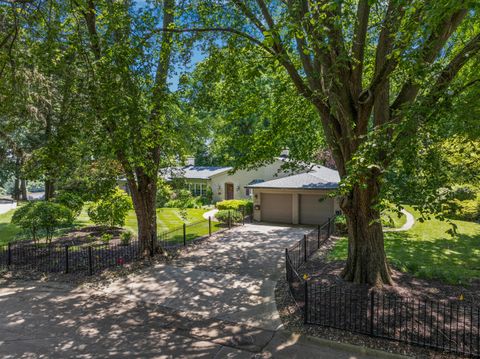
column 112, row 210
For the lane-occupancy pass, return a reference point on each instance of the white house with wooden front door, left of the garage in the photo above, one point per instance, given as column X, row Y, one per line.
column 224, row 183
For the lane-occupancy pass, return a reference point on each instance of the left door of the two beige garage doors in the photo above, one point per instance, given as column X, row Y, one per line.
column 276, row 207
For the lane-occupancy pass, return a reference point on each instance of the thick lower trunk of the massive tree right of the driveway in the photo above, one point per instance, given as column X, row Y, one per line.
column 366, row 262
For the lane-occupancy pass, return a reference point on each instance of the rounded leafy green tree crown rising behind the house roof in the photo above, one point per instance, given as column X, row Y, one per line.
column 244, row 102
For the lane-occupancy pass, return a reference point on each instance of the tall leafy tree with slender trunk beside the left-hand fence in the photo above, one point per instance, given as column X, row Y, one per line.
column 136, row 117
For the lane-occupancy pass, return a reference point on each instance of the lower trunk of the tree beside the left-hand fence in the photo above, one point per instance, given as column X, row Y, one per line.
column 144, row 194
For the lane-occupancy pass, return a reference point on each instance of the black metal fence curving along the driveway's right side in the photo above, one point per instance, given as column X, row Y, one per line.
column 445, row 325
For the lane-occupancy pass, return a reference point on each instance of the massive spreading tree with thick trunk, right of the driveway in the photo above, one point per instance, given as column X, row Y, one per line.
column 372, row 70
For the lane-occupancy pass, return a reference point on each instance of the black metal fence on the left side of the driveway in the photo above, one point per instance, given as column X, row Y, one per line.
column 91, row 258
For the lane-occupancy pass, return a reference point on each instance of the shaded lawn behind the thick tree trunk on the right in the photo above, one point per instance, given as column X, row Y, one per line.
column 427, row 251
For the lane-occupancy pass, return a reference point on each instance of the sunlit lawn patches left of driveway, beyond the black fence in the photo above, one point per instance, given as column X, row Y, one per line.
column 168, row 219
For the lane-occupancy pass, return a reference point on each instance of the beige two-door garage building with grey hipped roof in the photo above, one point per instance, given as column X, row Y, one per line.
column 297, row 199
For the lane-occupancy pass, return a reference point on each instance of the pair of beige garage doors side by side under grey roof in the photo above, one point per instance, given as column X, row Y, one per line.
column 312, row 209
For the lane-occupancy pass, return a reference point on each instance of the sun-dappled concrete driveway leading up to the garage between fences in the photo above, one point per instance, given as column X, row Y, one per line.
column 231, row 279
